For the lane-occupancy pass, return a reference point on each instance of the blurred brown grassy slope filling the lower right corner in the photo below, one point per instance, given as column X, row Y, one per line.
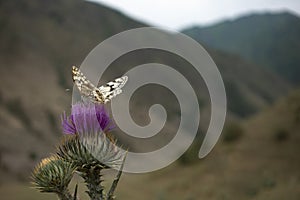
column 263, row 164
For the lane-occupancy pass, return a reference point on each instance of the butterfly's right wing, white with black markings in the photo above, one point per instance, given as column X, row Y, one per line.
column 112, row 88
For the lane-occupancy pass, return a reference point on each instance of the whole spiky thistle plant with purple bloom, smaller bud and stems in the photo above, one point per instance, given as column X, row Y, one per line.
column 87, row 150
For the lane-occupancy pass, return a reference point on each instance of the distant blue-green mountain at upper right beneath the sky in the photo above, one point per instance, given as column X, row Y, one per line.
column 270, row 40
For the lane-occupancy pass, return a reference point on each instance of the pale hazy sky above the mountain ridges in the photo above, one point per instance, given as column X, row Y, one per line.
column 177, row 14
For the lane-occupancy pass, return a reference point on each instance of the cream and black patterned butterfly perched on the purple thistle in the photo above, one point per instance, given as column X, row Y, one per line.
column 102, row 94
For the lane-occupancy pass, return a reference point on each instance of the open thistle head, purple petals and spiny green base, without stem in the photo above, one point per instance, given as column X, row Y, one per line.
column 90, row 122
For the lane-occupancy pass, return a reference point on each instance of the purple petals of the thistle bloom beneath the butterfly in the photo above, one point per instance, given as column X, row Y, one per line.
column 86, row 119
